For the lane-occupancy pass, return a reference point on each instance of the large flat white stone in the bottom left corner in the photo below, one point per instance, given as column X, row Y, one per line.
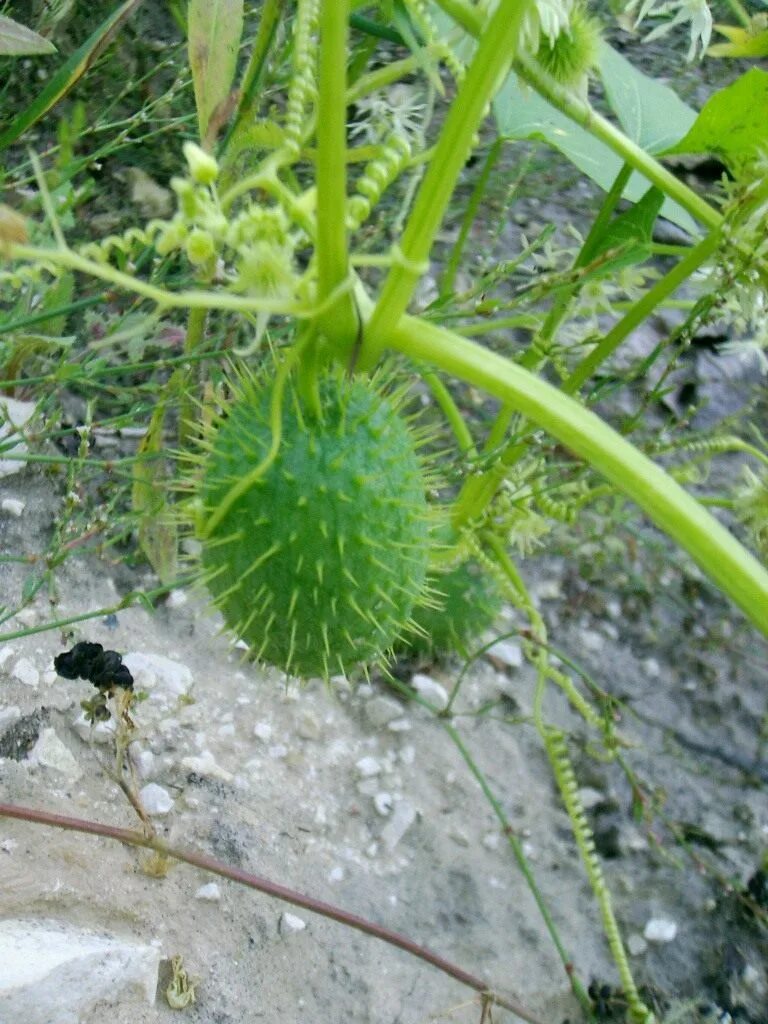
column 54, row 973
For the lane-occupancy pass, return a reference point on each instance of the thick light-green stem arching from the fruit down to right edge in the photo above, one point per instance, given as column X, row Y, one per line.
column 674, row 511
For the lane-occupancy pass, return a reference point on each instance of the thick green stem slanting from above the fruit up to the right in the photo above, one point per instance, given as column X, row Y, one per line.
column 492, row 60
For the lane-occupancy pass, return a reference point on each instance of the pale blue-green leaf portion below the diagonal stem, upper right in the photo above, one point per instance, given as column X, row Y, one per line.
column 521, row 113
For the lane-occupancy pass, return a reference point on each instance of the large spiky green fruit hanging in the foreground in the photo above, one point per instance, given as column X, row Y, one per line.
column 320, row 560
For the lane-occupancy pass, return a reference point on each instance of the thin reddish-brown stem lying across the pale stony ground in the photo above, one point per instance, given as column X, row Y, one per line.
column 274, row 889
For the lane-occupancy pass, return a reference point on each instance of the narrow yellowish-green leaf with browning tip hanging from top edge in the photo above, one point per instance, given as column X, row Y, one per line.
column 216, row 28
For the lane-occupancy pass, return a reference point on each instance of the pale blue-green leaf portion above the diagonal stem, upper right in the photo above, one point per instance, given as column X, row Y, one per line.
column 651, row 113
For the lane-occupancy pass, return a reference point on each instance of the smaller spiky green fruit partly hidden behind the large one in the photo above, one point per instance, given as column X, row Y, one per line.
column 467, row 603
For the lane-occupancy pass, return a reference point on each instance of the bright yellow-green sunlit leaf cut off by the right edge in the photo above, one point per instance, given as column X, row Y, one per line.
column 734, row 123
